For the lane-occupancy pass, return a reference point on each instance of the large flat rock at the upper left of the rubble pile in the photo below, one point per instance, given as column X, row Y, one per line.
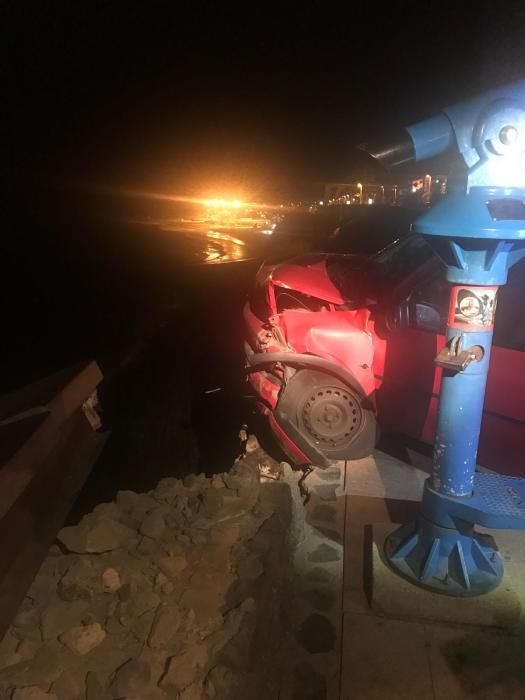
column 96, row 536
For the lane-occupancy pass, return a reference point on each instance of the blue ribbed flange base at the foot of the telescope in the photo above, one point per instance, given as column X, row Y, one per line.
column 443, row 560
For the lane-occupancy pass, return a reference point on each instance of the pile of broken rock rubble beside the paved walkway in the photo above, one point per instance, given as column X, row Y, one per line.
column 174, row 593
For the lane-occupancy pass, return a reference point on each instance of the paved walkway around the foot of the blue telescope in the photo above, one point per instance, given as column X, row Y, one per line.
column 407, row 651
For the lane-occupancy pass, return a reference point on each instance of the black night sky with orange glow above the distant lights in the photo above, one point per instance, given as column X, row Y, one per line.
column 198, row 96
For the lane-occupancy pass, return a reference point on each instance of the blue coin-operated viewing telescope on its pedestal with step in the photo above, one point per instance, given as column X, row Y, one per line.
column 479, row 232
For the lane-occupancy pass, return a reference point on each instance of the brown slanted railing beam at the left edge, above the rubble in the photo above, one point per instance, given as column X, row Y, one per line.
column 48, row 445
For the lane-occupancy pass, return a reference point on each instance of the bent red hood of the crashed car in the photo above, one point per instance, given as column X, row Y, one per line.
column 336, row 278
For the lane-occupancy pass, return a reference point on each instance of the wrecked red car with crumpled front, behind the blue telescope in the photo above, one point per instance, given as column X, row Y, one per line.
column 337, row 344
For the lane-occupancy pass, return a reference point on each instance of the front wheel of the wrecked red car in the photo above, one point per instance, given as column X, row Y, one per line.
column 330, row 414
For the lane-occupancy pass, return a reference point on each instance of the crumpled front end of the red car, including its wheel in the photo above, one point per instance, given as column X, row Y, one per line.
column 309, row 354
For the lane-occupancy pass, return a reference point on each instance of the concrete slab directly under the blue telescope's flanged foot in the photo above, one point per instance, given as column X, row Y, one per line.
column 394, row 597
